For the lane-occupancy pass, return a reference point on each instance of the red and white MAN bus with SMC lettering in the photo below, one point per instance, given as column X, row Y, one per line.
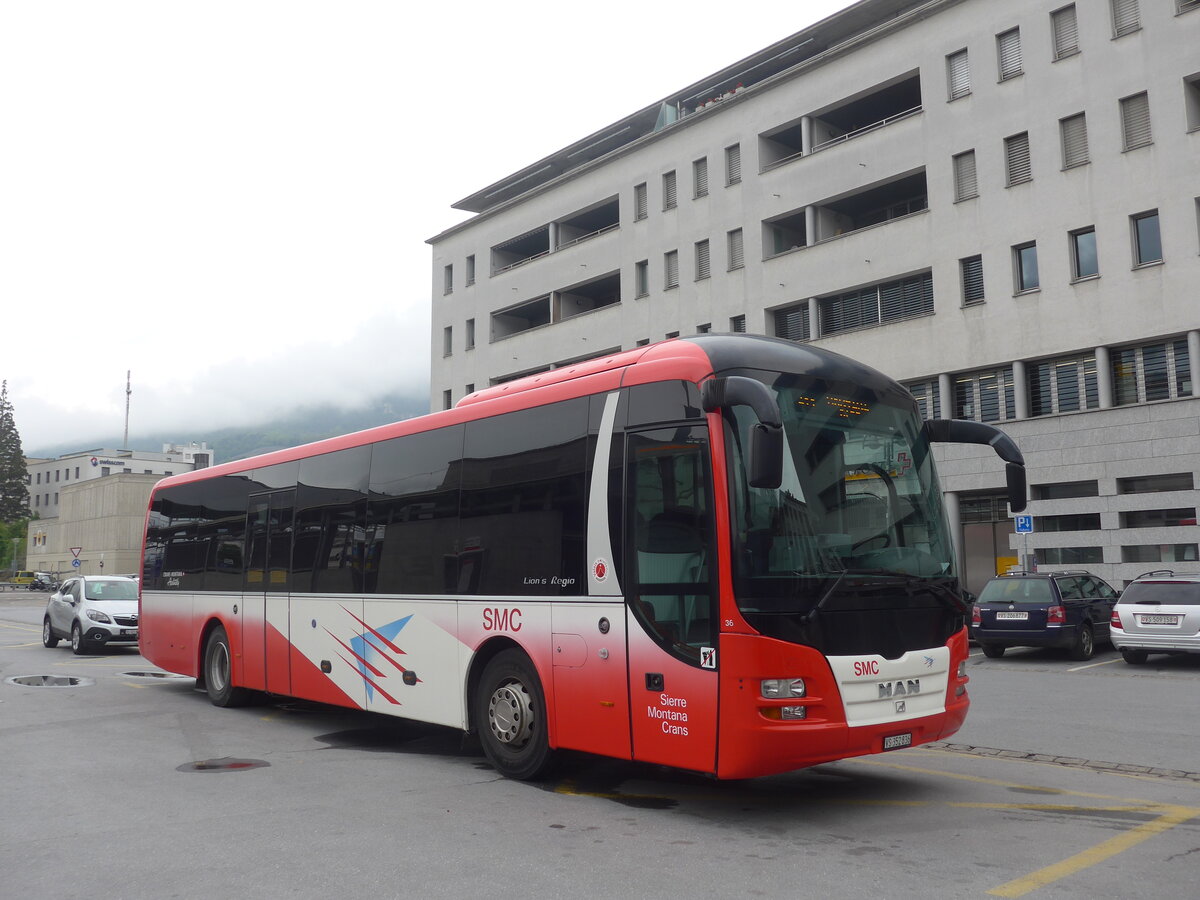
column 725, row 554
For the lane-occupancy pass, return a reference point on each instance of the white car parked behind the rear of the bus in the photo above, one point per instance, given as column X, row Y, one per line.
column 92, row 611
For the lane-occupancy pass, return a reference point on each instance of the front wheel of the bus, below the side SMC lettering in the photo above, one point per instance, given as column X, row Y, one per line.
column 511, row 717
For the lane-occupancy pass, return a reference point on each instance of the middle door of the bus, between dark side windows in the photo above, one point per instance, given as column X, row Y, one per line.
column 265, row 609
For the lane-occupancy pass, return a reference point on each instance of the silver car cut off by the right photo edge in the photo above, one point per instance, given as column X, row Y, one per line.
column 1160, row 613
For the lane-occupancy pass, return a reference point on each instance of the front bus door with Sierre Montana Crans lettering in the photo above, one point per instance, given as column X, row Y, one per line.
column 671, row 601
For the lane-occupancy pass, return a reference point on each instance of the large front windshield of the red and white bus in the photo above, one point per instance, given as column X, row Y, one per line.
column 857, row 523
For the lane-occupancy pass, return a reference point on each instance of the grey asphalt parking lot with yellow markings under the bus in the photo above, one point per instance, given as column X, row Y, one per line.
column 1070, row 781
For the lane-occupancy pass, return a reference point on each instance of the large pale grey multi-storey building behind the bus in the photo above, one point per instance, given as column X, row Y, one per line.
column 998, row 205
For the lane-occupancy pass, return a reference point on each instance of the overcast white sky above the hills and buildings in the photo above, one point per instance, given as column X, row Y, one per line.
column 232, row 200
